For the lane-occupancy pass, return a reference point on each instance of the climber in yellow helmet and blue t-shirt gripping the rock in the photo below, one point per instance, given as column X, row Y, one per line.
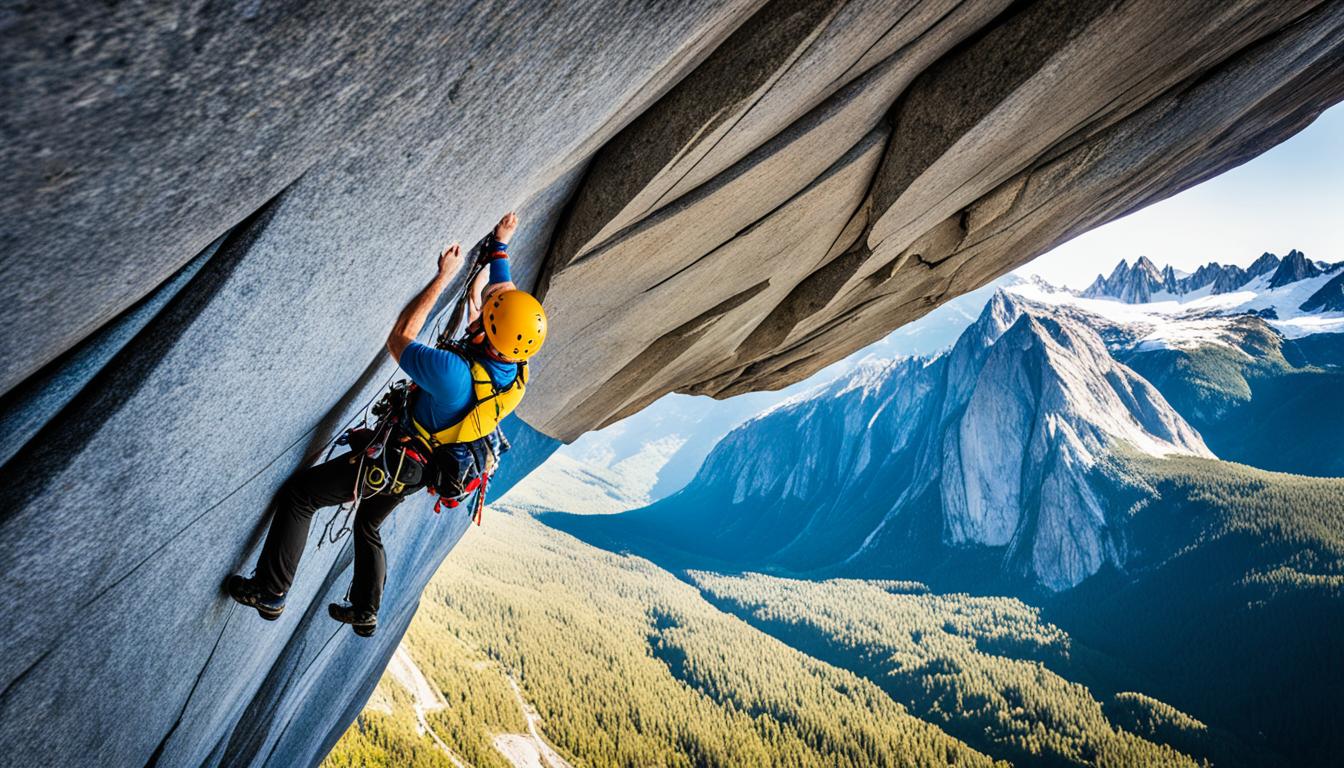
column 447, row 408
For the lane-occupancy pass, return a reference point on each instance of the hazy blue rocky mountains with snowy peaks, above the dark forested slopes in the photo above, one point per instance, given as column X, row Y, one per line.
column 998, row 443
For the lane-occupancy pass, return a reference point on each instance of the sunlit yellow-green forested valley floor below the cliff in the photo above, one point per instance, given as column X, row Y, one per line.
column 627, row 664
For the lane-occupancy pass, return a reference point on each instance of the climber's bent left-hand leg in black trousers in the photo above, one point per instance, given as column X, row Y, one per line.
column 306, row 492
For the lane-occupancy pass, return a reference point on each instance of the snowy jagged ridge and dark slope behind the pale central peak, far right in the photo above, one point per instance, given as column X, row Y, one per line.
column 1248, row 371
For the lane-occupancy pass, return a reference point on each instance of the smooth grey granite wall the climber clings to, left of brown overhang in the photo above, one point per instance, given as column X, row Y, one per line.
column 369, row 138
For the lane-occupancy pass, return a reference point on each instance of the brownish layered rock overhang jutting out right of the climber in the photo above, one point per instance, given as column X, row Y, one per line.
column 1029, row 126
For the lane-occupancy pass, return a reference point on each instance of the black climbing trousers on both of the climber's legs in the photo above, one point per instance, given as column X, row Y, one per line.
column 307, row 492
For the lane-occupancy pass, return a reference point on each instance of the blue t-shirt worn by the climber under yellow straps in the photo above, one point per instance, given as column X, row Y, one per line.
column 446, row 381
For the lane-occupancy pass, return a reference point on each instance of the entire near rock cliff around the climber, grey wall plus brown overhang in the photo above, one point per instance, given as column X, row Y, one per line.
column 212, row 215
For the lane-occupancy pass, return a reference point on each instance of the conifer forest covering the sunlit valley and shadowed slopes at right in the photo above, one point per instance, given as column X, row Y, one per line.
column 1214, row 648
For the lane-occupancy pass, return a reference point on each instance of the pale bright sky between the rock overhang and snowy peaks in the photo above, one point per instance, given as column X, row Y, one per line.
column 1290, row 197
